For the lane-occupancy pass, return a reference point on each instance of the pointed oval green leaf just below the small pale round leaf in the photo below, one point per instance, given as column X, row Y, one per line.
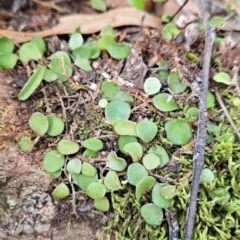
column 164, row 102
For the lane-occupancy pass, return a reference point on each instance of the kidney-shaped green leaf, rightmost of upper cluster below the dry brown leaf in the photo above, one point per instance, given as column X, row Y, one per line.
column 118, row 51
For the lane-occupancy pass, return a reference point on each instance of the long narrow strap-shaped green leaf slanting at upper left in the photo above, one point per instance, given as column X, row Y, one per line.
column 33, row 82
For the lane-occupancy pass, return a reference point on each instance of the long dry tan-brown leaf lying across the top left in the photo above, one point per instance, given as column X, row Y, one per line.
column 89, row 24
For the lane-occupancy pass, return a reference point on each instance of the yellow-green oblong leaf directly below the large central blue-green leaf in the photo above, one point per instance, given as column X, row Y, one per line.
column 125, row 127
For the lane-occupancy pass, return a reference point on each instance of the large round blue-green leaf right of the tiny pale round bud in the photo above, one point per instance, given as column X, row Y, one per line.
column 117, row 110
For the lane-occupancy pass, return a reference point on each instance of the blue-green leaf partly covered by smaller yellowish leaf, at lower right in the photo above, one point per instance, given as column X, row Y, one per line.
column 158, row 199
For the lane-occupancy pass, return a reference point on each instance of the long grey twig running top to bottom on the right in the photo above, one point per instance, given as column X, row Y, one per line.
column 198, row 156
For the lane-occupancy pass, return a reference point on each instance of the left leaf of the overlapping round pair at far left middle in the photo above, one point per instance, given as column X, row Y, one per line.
column 38, row 123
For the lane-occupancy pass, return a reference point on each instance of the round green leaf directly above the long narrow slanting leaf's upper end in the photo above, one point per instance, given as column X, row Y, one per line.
column 29, row 51
